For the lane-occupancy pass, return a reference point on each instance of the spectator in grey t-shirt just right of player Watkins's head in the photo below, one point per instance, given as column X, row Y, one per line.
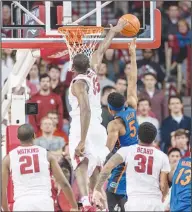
column 48, row 141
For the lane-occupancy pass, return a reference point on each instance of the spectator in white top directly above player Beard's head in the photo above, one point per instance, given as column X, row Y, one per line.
column 144, row 107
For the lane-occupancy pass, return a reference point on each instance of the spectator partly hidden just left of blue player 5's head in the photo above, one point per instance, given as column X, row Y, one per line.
column 106, row 116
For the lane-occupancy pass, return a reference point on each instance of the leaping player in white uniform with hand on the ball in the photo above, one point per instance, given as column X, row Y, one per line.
column 87, row 135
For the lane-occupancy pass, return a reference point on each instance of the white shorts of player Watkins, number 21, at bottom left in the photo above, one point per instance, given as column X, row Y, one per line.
column 34, row 203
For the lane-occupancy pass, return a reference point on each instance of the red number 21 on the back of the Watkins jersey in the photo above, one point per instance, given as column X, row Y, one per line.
column 29, row 164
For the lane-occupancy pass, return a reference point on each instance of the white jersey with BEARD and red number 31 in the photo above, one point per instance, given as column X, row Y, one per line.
column 143, row 167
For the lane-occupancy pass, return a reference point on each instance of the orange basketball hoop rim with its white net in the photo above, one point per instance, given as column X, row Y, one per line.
column 81, row 39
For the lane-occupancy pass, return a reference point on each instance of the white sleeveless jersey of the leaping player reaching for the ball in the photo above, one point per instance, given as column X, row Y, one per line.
column 94, row 98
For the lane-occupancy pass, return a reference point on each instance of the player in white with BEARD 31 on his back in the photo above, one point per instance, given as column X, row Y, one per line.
column 147, row 171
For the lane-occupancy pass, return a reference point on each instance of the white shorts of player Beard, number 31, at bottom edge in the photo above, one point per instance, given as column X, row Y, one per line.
column 144, row 204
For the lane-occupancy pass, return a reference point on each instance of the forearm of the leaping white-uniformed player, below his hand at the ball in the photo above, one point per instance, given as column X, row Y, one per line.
column 104, row 45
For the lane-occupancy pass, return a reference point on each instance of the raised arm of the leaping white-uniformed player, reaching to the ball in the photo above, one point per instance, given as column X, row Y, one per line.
column 97, row 56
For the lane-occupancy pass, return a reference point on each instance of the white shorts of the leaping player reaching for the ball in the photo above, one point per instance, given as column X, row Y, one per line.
column 96, row 140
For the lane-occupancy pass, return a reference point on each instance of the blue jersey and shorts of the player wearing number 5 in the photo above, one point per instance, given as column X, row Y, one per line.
column 117, row 181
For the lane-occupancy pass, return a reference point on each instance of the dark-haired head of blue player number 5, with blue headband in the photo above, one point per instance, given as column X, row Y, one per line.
column 116, row 103
